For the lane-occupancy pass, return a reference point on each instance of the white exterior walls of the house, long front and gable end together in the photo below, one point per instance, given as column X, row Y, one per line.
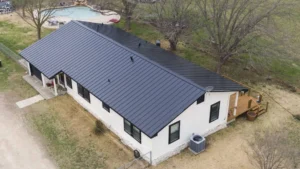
column 194, row 119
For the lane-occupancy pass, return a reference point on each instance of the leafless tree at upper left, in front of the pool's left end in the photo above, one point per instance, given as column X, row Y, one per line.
column 38, row 12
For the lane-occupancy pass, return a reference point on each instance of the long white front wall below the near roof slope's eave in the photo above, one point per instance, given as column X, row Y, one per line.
column 112, row 120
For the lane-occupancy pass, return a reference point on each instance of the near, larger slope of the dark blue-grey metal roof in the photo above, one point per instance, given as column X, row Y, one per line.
column 145, row 93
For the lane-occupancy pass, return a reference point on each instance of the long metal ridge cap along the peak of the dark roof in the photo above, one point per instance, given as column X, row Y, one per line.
column 143, row 57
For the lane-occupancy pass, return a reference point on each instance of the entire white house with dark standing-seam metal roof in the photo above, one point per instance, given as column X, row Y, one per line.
column 152, row 99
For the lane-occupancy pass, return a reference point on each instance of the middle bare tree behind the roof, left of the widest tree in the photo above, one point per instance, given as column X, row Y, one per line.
column 172, row 19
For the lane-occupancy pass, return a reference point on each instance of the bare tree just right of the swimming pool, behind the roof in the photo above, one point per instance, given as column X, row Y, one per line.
column 125, row 8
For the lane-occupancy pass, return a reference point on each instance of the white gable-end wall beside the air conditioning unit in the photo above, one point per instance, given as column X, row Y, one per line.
column 195, row 119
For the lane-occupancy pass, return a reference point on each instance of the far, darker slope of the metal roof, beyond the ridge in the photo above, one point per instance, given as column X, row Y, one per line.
column 189, row 71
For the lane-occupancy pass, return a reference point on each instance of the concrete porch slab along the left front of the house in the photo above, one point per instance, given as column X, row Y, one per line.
column 46, row 93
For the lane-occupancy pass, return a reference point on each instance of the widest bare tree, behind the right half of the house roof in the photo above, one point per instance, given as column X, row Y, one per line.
column 232, row 25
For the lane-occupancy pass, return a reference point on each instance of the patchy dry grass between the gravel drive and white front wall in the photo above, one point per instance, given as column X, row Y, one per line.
column 69, row 133
